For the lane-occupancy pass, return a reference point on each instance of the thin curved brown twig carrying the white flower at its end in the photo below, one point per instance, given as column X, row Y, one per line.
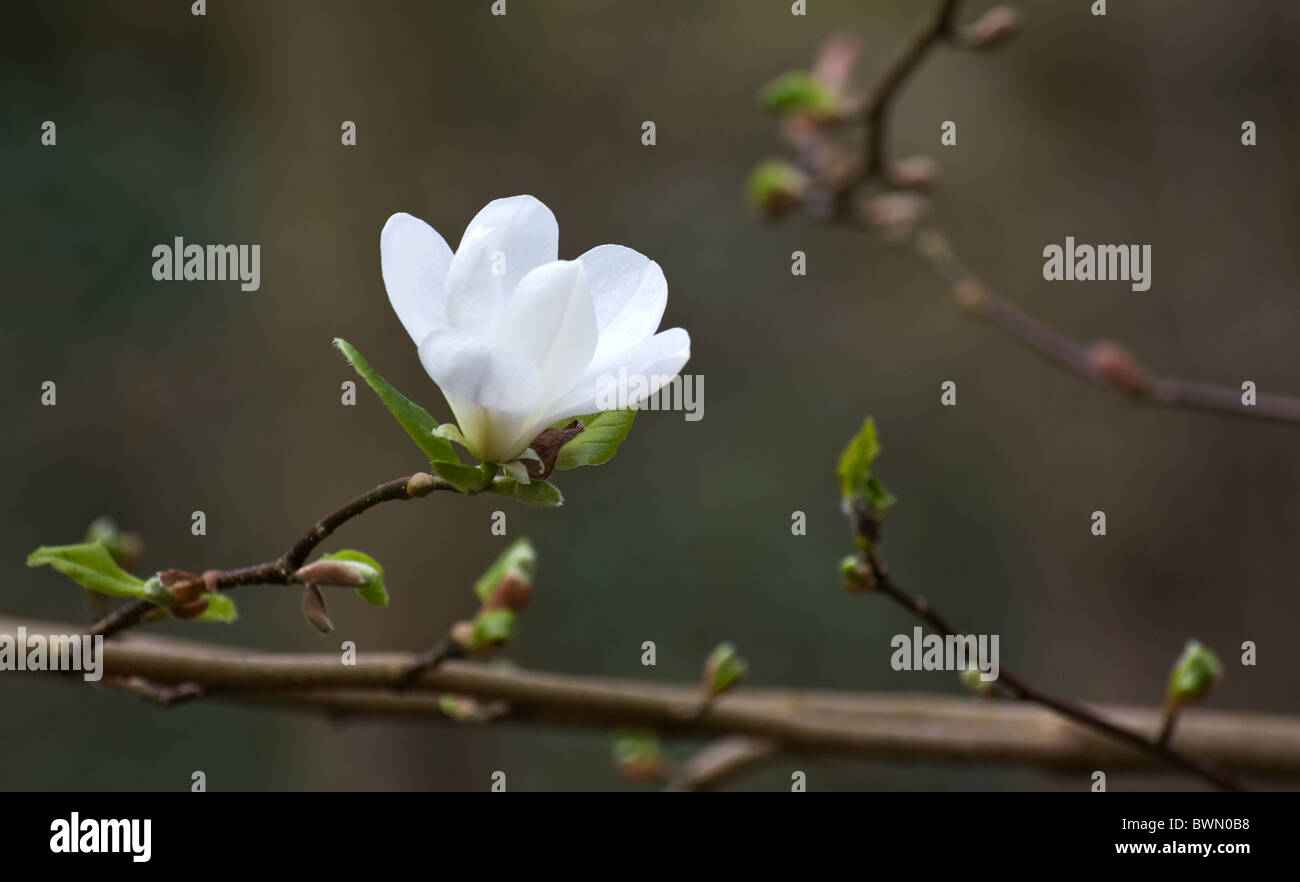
column 281, row 570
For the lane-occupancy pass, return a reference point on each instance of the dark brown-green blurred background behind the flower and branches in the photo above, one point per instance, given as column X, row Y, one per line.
column 175, row 397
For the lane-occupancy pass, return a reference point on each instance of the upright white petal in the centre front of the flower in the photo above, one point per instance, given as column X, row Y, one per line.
column 551, row 321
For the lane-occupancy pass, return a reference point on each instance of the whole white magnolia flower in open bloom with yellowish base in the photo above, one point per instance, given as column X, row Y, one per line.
column 517, row 339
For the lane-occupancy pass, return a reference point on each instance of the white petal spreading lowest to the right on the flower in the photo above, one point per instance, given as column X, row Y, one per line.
column 656, row 361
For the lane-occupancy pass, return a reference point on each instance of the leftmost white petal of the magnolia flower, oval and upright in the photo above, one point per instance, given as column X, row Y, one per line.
column 415, row 262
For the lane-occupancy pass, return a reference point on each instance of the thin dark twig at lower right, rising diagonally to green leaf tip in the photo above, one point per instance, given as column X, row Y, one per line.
column 868, row 530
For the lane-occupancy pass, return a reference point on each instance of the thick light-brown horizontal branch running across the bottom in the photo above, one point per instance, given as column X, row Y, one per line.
column 866, row 727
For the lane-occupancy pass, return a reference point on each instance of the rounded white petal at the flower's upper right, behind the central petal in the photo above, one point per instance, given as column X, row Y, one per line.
column 630, row 293
